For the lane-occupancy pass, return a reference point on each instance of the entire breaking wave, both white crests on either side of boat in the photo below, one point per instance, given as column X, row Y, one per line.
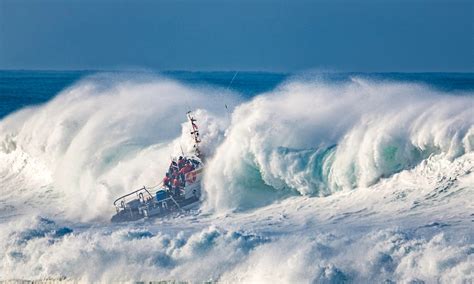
column 105, row 136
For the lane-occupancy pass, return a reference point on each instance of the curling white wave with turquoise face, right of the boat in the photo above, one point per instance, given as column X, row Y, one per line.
column 285, row 141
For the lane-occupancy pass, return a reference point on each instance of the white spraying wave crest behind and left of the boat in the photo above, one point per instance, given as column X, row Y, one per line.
column 101, row 138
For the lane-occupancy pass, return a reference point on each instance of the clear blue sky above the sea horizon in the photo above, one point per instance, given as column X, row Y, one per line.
column 259, row 35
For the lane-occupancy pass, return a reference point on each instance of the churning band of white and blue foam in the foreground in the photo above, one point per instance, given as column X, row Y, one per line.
column 43, row 249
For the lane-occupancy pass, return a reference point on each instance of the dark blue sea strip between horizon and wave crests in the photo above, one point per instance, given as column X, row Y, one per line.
column 22, row 88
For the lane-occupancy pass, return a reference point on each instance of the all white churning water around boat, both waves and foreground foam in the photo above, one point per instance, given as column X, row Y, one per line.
column 314, row 181
